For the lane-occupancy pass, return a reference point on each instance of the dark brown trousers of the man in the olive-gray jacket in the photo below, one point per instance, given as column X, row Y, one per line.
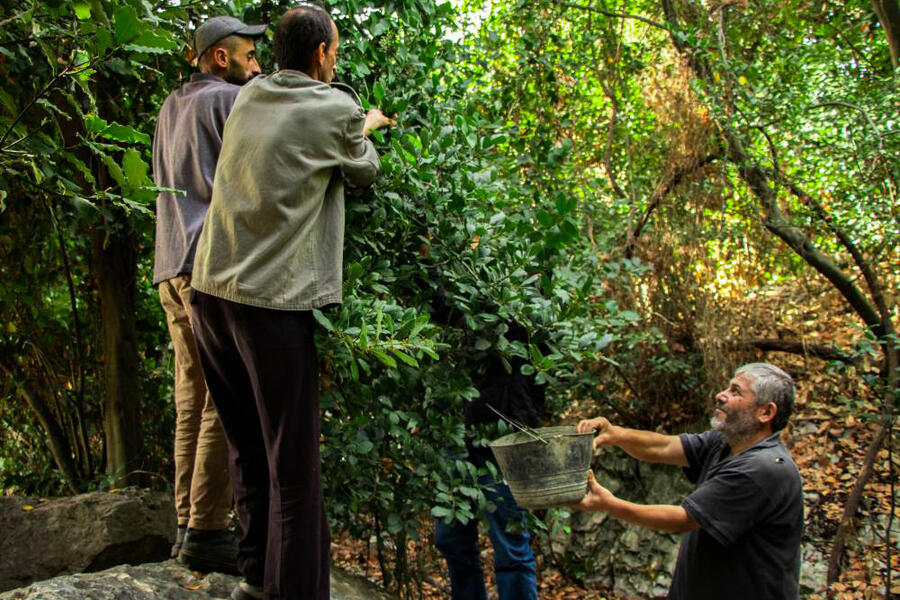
column 262, row 372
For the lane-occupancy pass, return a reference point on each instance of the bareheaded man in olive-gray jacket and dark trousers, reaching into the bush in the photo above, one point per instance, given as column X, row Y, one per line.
column 271, row 252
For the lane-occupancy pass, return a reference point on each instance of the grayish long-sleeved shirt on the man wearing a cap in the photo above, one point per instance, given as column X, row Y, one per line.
column 185, row 150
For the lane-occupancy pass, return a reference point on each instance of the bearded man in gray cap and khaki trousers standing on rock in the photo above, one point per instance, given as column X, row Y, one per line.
column 185, row 150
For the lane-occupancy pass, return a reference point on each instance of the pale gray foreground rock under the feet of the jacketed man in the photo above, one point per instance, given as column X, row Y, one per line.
column 168, row 581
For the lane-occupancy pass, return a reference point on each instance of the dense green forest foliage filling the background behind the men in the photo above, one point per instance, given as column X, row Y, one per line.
column 613, row 178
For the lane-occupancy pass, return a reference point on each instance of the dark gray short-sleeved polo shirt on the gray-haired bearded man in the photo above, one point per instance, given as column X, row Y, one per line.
column 750, row 511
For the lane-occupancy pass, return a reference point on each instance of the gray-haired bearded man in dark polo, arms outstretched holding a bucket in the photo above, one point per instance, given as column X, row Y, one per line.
column 744, row 520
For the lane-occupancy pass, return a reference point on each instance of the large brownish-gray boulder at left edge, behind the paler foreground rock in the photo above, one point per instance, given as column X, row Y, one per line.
column 89, row 532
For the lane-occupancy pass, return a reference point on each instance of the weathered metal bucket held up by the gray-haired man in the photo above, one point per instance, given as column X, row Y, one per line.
column 541, row 475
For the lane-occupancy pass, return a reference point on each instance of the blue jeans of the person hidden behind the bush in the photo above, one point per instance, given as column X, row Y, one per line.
column 514, row 564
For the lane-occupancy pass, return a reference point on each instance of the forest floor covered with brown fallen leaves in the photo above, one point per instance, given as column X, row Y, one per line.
column 828, row 440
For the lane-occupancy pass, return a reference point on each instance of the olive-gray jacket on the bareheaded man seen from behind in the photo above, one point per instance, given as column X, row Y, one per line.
column 274, row 232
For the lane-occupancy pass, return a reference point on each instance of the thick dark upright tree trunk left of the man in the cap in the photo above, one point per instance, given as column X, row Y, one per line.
column 114, row 270
